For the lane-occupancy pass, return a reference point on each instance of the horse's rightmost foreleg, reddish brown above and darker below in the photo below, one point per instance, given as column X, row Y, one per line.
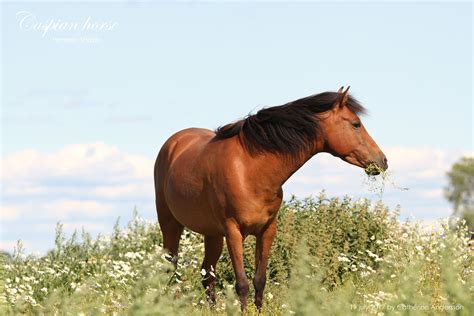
column 262, row 250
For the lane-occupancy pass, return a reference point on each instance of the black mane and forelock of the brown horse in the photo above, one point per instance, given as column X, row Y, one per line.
column 287, row 128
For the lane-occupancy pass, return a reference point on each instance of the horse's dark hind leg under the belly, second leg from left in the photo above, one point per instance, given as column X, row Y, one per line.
column 212, row 252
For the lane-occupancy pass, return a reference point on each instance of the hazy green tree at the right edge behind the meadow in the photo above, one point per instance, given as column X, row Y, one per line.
column 460, row 190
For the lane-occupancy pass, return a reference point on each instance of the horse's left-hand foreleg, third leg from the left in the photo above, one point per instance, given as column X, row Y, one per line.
column 234, row 240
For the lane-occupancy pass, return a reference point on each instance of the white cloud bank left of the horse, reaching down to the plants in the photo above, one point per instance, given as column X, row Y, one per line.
column 88, row 185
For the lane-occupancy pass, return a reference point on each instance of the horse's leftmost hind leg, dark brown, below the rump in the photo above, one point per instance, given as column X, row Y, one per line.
column 171, row 230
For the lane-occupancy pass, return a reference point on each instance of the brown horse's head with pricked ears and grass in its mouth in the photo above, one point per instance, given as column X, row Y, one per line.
column 346, row 137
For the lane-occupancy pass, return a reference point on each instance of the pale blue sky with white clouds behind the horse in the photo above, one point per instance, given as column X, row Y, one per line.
column 82, row 122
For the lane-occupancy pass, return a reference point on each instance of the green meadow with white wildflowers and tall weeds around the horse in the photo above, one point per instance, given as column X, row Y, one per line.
column 330, row 257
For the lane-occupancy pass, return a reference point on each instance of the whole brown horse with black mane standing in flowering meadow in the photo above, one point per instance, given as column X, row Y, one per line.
column 228, row 183
